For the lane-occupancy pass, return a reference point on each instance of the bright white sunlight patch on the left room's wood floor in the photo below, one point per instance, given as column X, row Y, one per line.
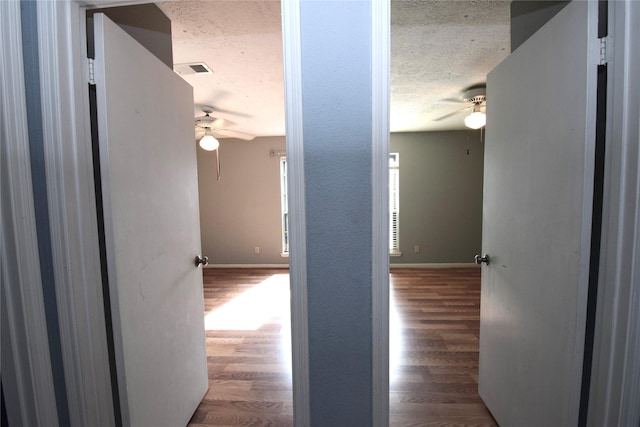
column 253, row 308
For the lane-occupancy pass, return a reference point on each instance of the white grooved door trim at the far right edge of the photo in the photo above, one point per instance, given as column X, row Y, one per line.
column 615, row 380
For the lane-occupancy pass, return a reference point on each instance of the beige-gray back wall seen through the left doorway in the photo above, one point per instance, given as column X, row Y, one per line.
column 242, row 210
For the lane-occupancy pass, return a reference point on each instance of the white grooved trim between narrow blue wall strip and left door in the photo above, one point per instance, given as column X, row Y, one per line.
column 72, row 210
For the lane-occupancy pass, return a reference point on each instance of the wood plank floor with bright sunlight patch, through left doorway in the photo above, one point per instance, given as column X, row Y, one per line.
column 248, row 347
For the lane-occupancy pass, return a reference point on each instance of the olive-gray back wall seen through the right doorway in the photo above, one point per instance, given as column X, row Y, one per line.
column 440, row 196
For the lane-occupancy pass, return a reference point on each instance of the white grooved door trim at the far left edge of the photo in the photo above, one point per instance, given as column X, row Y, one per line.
column 27, row 376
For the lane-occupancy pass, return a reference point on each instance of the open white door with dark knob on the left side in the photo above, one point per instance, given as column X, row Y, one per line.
column 152, row 230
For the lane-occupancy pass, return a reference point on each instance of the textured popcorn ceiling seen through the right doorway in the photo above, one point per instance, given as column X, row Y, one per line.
column 438, row 49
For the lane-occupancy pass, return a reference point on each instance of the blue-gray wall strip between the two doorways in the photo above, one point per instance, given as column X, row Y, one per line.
column 337, row 135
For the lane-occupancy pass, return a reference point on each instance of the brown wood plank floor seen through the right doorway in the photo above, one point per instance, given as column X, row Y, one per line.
column 435, row 326
